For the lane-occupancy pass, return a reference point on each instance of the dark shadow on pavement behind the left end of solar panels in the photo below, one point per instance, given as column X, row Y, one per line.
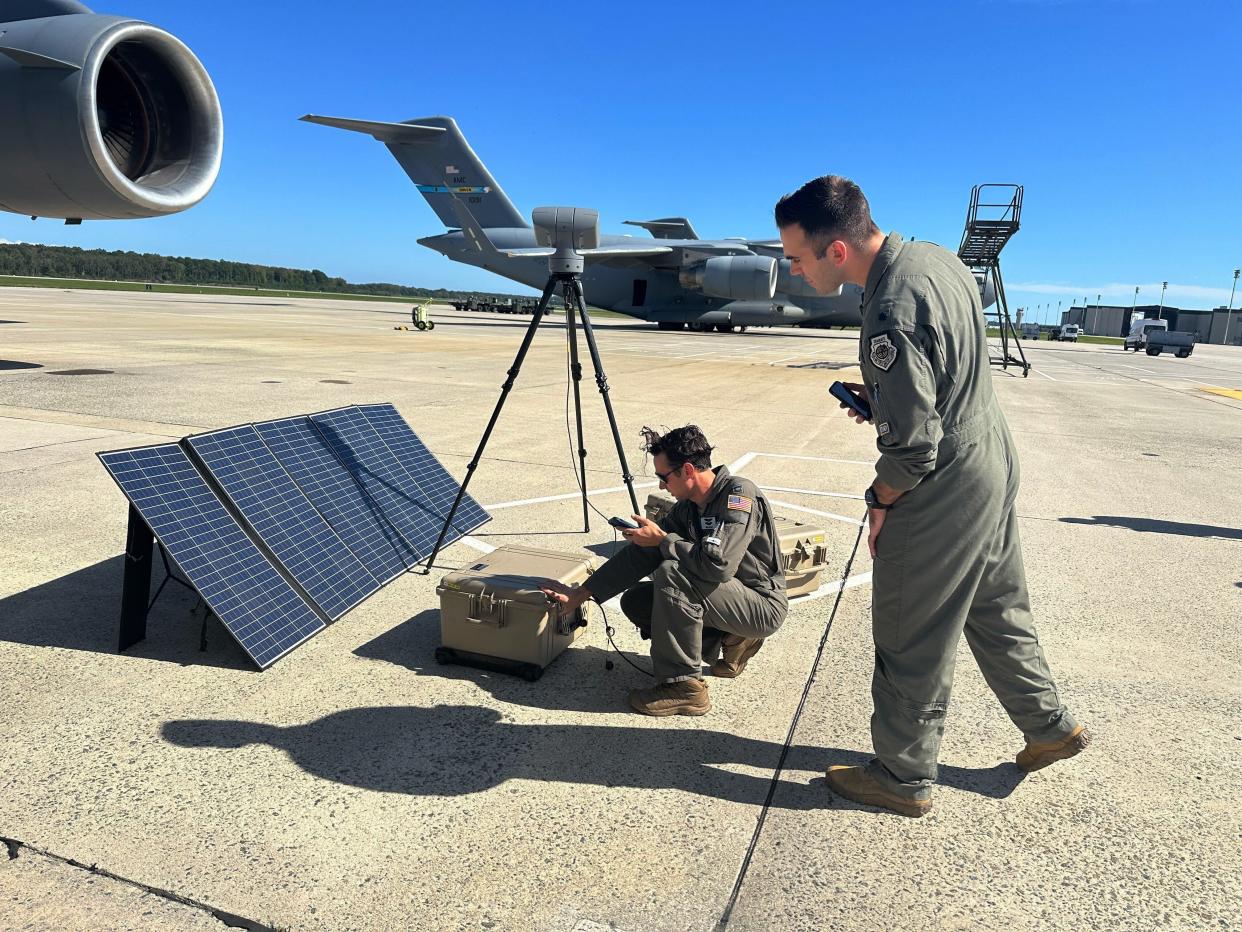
column 81, row 612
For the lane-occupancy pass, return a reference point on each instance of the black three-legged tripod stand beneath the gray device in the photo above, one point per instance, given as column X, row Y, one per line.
column 576, row 308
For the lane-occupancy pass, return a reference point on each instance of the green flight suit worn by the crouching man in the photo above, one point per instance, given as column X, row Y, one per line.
column 717, row 571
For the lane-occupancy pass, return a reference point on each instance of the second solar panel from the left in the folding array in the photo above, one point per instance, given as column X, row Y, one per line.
column 285, row 520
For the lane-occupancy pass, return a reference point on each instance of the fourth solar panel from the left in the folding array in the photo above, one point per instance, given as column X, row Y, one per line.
column 376, row 469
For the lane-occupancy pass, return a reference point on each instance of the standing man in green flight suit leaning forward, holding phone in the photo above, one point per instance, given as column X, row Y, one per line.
column 943, row 525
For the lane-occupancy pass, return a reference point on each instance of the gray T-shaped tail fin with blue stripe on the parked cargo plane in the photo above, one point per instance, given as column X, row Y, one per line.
column 443, row 166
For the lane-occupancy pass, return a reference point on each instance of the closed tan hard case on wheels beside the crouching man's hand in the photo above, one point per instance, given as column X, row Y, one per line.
column 494, row 614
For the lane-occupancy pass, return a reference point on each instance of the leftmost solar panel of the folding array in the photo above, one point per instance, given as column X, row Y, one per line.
column 240, row 585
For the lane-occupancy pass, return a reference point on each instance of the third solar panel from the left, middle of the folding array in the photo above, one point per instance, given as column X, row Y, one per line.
column 357, row 519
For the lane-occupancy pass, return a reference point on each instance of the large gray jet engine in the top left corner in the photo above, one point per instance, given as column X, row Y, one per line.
column 102, row 117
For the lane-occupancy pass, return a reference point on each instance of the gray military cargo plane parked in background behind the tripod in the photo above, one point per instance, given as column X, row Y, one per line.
column 675, row 280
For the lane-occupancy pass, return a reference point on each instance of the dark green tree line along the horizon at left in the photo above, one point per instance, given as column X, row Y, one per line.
column 39, row 262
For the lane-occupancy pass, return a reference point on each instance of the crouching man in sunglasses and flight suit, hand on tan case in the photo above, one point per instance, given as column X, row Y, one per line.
column 717, row 580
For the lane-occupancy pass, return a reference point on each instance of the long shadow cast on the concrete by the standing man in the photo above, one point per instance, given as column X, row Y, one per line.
column 451, row 751
